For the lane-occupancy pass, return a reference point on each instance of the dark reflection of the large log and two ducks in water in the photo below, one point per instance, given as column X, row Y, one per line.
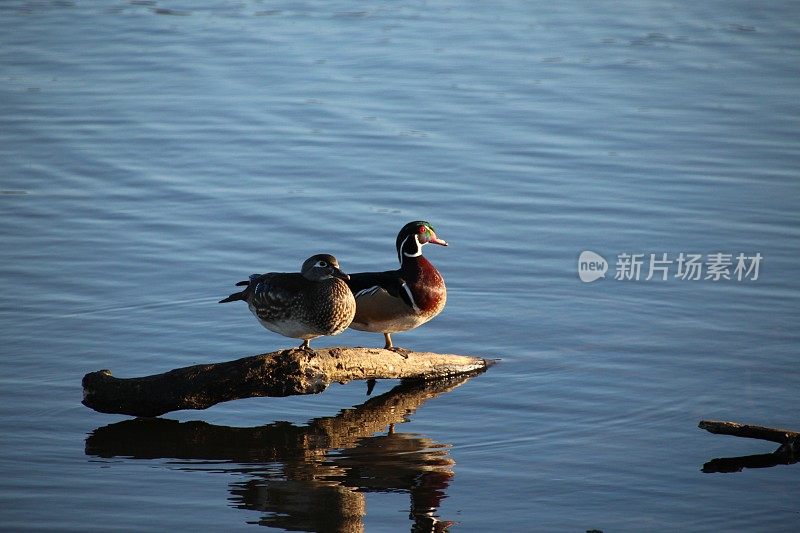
column 313, row 477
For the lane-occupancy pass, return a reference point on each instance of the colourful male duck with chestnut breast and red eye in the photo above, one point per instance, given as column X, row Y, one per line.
column 402, row 299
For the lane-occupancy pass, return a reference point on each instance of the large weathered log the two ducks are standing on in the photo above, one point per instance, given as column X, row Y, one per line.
column 281, row 373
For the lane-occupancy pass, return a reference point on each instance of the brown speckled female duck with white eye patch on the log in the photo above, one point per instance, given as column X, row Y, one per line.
column 307, row 305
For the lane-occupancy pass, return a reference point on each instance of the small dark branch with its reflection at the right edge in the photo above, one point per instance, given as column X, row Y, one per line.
column 786, row 454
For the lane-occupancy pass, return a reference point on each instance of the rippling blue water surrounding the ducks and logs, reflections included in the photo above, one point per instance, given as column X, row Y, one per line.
column 153, row 153
